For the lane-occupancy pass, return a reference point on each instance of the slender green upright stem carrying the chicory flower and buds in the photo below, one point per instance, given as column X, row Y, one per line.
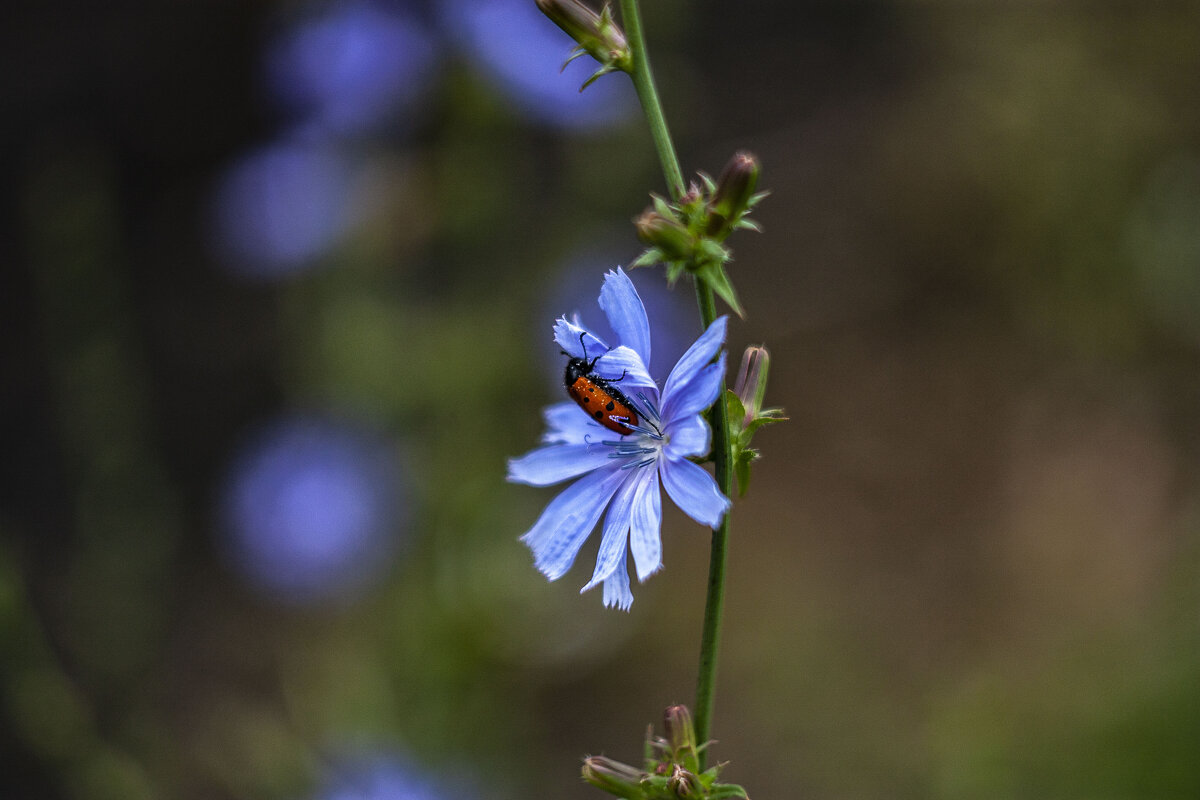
column 718, row 417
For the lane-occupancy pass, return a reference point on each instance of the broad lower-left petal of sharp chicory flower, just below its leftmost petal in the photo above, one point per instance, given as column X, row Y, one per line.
column 566, row 524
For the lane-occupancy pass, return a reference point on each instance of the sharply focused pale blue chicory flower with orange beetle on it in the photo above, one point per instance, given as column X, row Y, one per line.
column 622, row 473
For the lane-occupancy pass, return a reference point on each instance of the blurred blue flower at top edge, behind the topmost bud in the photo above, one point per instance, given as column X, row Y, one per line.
column 524, row 53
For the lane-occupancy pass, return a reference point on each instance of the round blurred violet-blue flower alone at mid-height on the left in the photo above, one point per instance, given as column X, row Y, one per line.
column 313, row 510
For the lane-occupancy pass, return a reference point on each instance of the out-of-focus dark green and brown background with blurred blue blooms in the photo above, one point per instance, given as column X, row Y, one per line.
column 277, row 286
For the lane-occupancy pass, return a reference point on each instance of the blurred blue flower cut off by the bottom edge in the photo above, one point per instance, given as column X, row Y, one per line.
column 388, row 778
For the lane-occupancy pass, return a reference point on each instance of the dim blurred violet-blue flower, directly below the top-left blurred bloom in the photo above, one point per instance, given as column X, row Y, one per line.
column 280, row 209
